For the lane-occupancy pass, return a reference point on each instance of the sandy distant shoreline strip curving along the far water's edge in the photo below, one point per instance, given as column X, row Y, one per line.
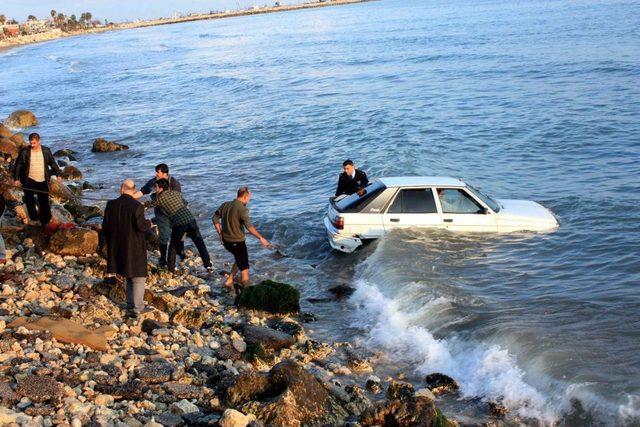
column 54, row 35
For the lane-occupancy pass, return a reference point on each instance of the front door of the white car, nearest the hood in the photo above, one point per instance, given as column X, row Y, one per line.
column 463, row 212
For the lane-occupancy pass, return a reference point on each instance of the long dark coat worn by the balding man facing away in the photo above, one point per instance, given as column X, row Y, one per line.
column 124, row 228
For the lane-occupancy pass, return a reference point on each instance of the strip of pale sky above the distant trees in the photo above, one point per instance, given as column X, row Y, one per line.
column 122, row 10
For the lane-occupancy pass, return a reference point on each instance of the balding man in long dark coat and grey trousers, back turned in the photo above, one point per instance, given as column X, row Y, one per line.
column 124, row 228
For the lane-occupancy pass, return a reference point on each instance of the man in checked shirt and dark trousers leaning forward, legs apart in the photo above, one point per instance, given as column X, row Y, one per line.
column 183, row 223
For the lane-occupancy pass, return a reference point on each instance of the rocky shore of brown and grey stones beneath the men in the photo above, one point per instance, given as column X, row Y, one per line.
column 202, row 357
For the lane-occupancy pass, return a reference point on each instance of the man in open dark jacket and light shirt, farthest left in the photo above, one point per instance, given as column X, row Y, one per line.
column 33, row 169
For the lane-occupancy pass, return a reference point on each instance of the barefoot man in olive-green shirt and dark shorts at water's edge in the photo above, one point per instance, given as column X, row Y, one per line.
column 230, row 220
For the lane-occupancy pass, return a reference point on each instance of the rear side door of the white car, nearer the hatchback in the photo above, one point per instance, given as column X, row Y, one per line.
column 413, row 207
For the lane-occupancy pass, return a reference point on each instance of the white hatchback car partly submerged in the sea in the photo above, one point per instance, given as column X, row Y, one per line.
column 427, row 202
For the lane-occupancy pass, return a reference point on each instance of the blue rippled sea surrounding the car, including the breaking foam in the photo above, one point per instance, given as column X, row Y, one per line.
column 533, row 100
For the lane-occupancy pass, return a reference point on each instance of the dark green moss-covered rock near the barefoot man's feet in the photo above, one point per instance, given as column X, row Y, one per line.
column 270, row 296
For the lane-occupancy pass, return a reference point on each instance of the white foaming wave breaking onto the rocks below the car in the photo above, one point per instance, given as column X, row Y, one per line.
column 402, row 318
